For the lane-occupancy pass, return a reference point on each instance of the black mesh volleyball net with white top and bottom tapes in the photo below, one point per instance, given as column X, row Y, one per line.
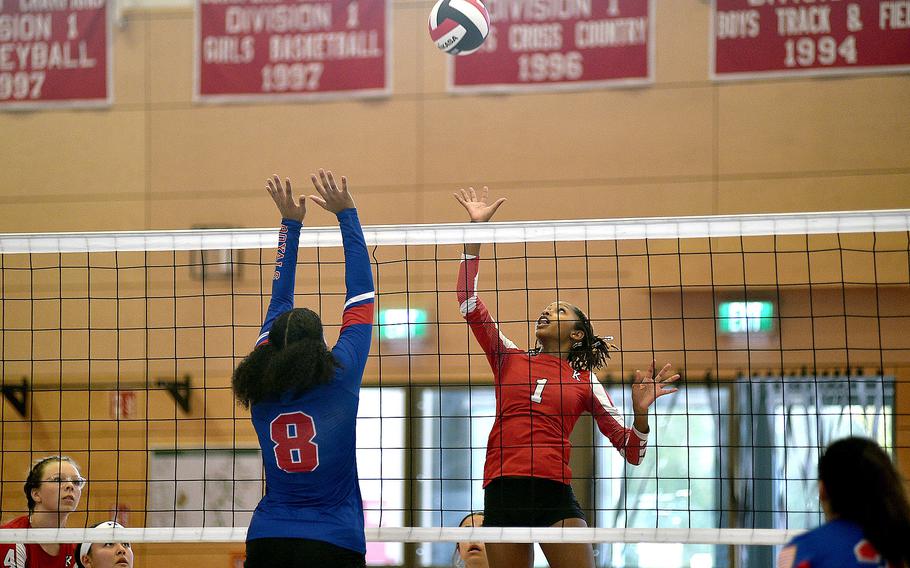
column 789, row 331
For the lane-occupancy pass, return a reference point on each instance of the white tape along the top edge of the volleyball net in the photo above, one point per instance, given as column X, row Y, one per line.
column 458, row 233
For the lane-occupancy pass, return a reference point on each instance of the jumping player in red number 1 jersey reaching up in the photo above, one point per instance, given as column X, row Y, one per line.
column 540, row 394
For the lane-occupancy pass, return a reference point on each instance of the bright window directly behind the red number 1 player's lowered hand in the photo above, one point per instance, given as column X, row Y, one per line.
column 676, row 486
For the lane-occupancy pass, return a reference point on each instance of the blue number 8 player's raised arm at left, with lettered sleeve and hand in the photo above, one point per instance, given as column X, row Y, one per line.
column 292, row 210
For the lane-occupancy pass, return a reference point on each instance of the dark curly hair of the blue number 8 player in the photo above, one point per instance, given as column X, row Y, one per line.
column 294, row 360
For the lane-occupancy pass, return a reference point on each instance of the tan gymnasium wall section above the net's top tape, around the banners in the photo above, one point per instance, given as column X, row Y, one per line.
column 681, row 146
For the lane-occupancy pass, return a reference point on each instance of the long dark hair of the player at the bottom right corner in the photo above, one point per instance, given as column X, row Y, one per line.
column 863, row 486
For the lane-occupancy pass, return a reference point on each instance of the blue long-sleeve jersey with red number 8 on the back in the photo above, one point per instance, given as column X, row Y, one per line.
column 309, row 441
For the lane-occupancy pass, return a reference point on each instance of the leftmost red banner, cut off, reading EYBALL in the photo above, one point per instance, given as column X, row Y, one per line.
column 54, row 53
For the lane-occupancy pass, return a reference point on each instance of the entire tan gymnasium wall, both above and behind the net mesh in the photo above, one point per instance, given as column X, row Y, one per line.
column 682, row 146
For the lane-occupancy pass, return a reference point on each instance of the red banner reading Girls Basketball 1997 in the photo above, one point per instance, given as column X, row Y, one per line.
column 254, row 50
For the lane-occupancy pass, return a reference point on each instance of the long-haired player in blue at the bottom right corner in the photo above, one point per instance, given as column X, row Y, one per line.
column 867, row 511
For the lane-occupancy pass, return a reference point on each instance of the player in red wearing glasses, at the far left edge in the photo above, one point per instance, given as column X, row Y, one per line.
column 53, row 488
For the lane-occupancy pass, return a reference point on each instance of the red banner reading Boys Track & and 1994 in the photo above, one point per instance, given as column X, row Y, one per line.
column 753, row 39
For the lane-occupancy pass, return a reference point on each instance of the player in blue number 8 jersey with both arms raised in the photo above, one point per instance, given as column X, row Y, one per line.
column 303, row 399
